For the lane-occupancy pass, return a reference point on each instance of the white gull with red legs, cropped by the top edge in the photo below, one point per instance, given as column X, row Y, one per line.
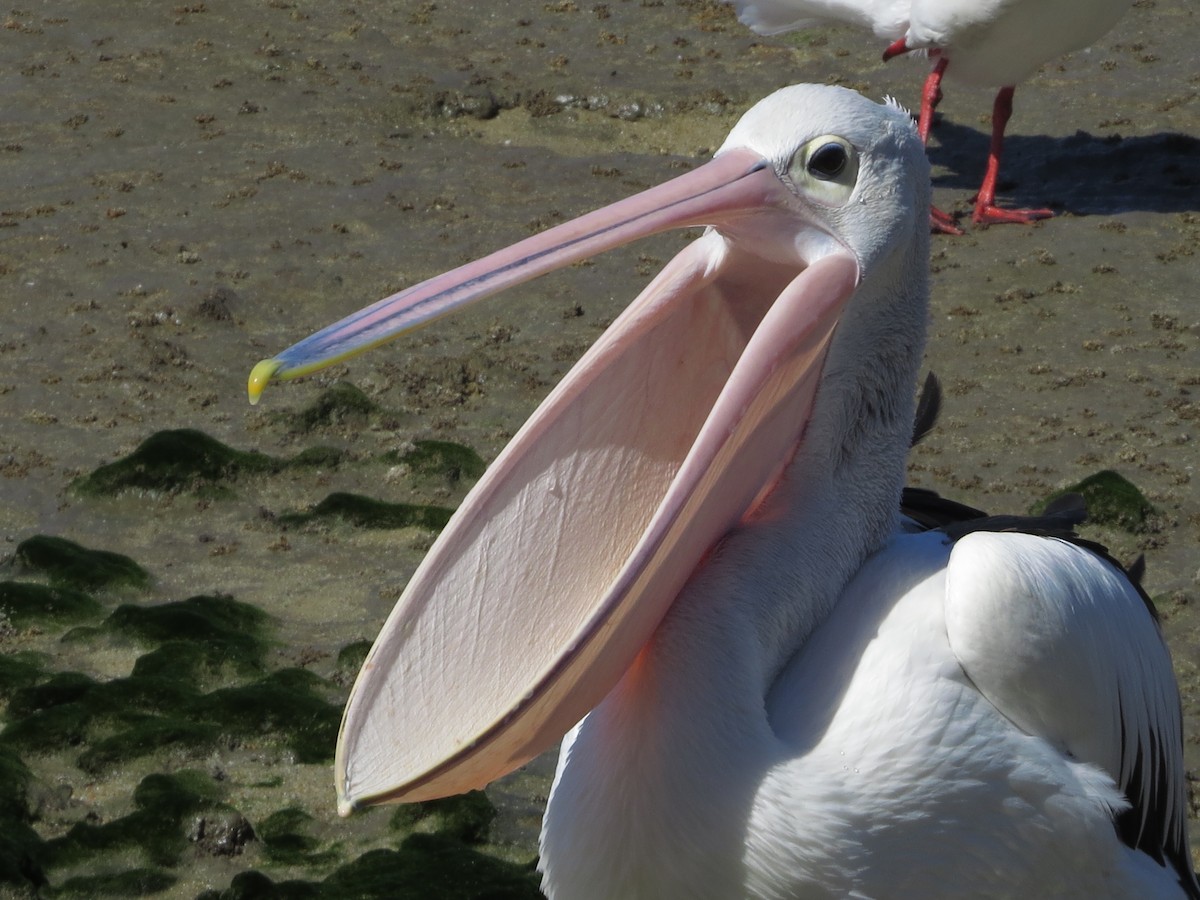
column 986, row 44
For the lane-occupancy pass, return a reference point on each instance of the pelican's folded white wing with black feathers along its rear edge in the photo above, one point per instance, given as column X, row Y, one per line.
column 1069, row 649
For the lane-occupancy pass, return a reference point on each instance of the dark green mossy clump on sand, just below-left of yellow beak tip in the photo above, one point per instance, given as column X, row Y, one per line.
column 176, row 461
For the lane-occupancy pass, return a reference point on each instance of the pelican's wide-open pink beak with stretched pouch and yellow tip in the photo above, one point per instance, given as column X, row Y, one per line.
column 567, row 555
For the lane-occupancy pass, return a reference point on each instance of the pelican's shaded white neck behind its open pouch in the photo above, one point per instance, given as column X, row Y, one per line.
column 693, row 709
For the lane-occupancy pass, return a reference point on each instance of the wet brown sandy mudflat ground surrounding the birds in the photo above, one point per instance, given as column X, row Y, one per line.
column 189, row 188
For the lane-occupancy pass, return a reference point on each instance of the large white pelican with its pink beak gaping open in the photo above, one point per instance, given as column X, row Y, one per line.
column 691, row 562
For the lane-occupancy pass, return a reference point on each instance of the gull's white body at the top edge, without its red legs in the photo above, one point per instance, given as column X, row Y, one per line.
column 992, row 44
